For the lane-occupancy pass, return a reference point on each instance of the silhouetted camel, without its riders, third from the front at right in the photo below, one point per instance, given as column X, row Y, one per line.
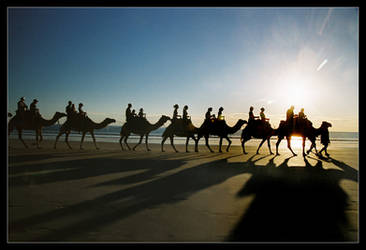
column 219, row 128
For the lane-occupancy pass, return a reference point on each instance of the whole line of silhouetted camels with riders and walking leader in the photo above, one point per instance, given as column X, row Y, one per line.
column 182, row 126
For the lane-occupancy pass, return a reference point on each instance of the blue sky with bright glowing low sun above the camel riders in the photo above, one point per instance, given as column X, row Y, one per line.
column 154, row 58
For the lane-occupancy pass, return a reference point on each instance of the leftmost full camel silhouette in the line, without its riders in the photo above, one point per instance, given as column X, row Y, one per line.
column 28, row 122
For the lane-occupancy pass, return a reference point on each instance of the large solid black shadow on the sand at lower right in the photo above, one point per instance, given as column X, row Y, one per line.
column 294, row 204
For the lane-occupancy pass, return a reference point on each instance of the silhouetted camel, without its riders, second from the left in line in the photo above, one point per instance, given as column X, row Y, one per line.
column 81, row 124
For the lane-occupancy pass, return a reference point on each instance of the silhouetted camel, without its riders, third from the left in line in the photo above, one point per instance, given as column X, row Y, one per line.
column 142, row 127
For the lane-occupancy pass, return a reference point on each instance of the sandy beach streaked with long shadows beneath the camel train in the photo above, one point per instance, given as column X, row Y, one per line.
column 109, row 195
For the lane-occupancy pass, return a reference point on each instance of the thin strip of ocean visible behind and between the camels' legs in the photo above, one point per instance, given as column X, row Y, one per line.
column 111, row 134
